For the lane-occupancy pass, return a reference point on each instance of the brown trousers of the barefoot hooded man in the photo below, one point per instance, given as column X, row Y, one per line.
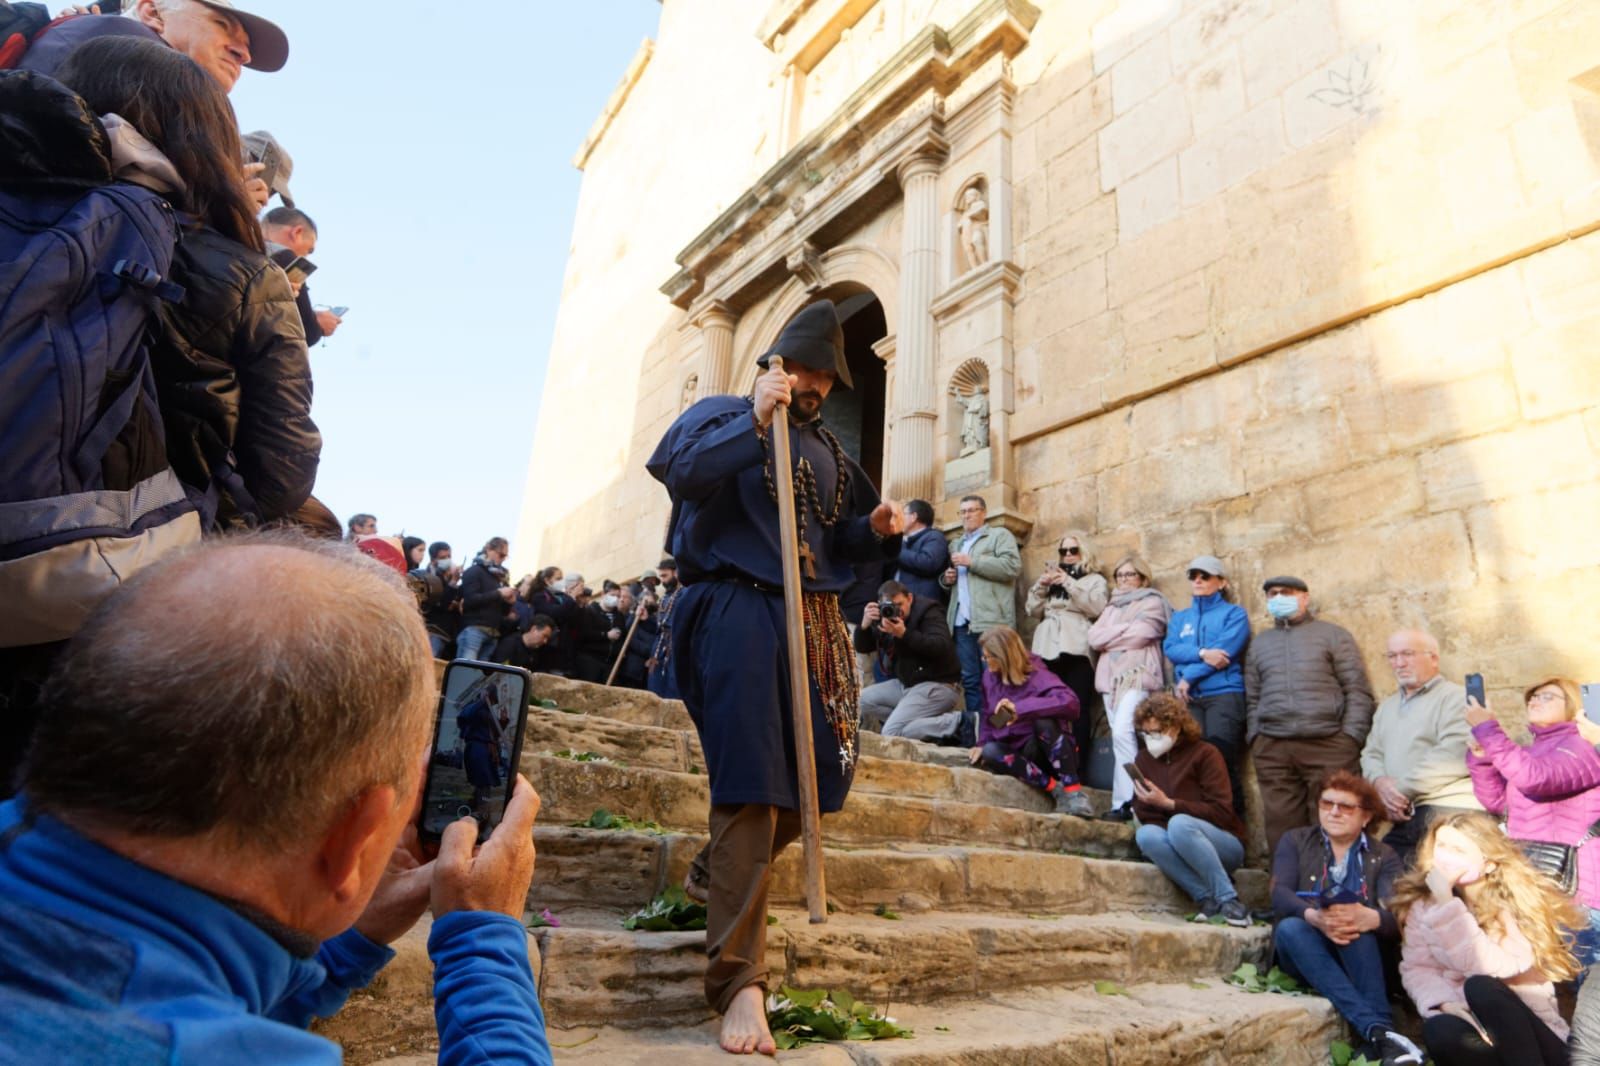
column 738, row 868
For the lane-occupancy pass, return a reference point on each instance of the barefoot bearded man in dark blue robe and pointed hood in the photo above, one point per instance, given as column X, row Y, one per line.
column 730, row 647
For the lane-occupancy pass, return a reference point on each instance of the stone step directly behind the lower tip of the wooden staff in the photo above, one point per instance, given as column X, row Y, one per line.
column 628, row 870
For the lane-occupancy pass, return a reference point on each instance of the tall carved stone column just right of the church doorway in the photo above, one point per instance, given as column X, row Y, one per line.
column 916, row 391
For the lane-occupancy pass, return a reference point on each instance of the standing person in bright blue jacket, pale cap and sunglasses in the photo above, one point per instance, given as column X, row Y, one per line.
column 1206, row 644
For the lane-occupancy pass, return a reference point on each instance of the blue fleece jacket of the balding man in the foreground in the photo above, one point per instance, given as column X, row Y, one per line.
column 106, row 961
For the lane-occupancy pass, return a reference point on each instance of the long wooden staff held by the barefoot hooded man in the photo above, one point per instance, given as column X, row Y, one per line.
column 799, row 675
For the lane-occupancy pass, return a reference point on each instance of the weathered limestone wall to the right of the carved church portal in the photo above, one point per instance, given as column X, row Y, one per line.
column 1204, row 185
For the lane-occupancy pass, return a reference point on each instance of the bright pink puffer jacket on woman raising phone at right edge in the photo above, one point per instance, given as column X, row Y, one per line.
column 1548, row 791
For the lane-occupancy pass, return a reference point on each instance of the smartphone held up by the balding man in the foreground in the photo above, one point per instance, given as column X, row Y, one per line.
column 478, row 745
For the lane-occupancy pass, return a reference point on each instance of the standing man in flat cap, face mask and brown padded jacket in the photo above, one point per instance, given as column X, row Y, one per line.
column 1310, row 707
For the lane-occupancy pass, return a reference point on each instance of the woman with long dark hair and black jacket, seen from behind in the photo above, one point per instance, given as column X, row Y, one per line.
column 231, row 364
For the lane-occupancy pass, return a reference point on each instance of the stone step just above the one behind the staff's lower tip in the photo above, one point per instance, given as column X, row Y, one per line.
column 572, row 791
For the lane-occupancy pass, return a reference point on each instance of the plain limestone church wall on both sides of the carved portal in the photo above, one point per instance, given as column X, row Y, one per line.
column 1313, row 284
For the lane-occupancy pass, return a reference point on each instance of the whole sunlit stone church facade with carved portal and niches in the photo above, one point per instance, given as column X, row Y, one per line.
column 1308, row 284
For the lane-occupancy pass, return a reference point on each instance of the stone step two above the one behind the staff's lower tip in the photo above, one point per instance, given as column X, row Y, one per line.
column 679, row 751
